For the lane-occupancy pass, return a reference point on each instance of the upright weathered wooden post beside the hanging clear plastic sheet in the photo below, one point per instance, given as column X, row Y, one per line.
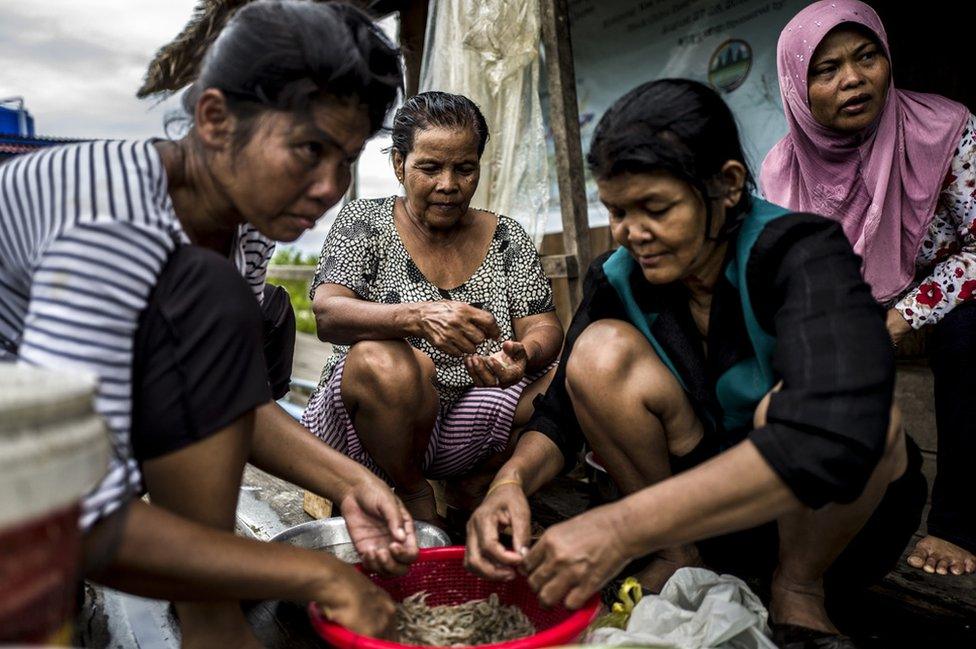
column 564, row 120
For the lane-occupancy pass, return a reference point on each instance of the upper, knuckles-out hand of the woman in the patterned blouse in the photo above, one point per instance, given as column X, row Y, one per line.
column 455, row 328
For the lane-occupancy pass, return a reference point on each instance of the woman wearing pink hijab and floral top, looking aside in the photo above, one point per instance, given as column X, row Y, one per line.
column 898, row 170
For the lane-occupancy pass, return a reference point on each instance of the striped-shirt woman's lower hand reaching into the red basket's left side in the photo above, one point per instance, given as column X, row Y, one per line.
column 348, row 598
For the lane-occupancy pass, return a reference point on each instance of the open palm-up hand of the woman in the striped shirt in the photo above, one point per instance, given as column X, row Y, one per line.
column 380, row 526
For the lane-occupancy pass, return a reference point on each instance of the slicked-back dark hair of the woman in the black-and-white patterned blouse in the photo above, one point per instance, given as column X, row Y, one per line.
column 433, row 109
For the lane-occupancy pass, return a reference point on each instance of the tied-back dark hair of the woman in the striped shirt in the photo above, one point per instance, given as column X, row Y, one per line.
column 285, row 54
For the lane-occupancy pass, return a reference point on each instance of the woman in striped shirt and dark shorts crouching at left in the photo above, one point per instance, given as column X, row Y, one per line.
column 125, row 259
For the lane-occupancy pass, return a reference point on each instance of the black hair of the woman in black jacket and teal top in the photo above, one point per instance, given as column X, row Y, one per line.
column 676, row 125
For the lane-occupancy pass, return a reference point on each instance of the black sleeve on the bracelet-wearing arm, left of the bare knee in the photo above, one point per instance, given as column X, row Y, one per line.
column 554, row 416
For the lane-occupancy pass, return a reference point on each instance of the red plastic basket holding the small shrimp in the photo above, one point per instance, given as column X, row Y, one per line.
column 441, row 572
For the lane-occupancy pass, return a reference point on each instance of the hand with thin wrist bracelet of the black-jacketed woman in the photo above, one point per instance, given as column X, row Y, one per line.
column 504, row 506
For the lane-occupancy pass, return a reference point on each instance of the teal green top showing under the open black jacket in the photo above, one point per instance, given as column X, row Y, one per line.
column 740, row 389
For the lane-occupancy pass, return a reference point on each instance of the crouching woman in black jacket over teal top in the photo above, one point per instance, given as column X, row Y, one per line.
column 731, row 370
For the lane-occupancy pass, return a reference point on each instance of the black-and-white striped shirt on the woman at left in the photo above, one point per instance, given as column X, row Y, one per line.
column 85, row 231
